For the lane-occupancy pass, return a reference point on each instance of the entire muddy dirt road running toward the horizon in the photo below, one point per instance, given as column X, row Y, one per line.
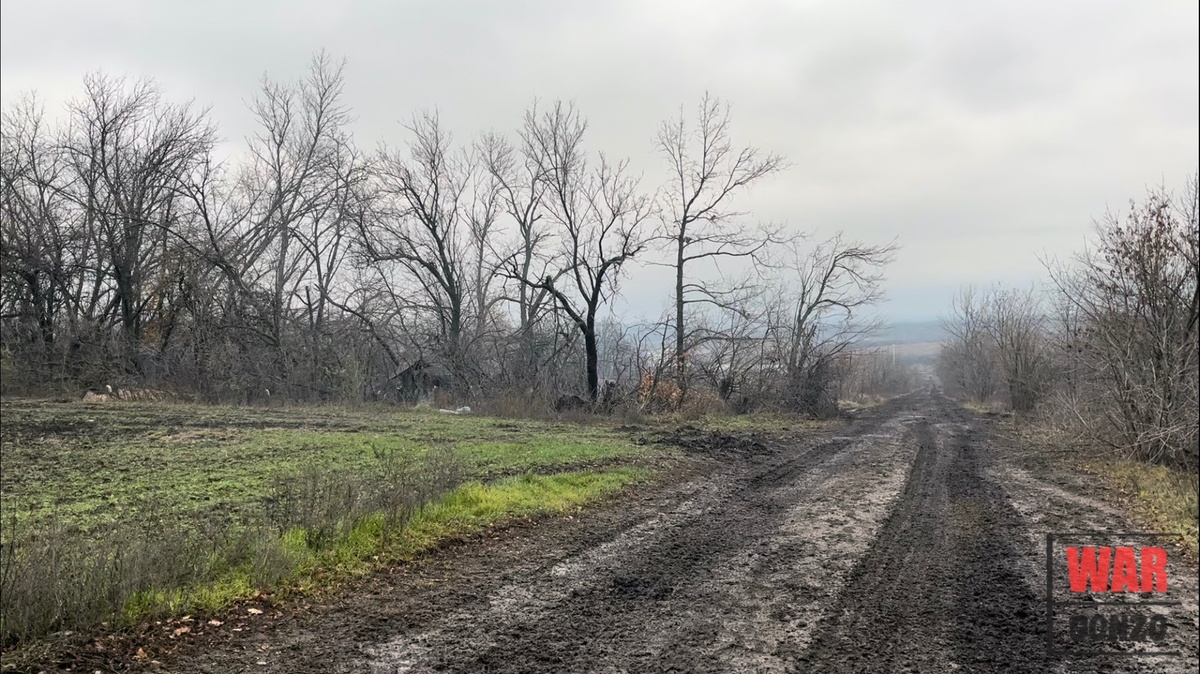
column 898, row 543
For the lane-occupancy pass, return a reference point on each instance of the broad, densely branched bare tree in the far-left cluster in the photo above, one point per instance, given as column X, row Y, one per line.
column 130, row 152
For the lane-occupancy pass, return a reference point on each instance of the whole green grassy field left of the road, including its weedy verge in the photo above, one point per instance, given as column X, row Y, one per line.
column 121, row 511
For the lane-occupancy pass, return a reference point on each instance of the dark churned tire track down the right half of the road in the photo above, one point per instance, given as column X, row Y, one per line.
column 940, row 589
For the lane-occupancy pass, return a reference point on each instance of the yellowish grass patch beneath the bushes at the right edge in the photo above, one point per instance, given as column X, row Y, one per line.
column 1165, row 500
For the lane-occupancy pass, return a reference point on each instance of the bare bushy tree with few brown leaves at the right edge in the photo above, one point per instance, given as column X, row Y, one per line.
column 1136, row 305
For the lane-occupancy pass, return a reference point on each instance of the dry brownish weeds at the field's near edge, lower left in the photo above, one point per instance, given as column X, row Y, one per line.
column 53, row 576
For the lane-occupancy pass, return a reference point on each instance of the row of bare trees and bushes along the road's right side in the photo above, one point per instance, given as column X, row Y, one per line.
column 1112, row 348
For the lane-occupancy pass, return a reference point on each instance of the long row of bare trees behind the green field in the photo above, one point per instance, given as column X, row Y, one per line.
column 305, row 268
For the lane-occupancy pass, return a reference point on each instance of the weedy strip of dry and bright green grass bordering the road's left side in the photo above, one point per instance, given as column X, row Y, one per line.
column 316, row 532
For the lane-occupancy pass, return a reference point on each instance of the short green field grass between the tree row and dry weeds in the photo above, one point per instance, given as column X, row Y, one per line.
column 95, row 466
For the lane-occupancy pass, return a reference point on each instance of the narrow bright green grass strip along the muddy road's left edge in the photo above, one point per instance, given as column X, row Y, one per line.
column 371, row 544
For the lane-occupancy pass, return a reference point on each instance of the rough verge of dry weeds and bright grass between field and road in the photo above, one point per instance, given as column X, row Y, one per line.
column 56, row 583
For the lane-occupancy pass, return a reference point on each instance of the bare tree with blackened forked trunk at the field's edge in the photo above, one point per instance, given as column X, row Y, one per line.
column 598, row 216
